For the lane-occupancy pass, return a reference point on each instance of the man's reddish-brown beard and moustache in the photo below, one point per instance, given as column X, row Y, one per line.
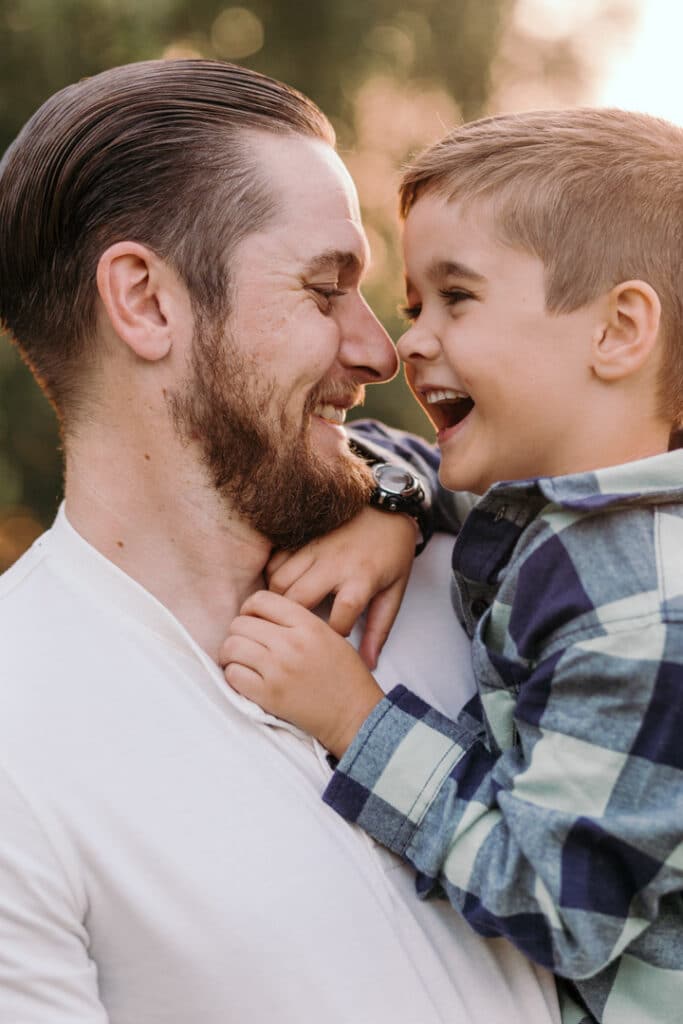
column 263, row 465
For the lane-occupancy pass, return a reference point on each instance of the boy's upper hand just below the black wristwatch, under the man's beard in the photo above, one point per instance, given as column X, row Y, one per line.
column 365, row 564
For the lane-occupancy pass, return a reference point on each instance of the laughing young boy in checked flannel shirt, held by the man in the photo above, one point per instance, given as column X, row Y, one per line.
column 544, row 258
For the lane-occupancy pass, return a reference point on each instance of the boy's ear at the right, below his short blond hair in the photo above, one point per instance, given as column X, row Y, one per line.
column 628, row 338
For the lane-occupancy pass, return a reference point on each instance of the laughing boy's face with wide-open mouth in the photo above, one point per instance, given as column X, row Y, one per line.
column 508, row 386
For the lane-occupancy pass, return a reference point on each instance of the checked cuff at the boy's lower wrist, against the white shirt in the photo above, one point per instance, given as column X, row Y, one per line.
column 394, row 770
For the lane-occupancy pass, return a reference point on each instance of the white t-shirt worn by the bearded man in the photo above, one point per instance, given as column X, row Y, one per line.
column 165, row 857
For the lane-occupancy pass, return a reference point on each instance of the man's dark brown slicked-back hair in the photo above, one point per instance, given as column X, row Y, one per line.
column 158, row 153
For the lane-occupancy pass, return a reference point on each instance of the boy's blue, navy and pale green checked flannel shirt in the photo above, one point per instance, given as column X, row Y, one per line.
column 551, row 810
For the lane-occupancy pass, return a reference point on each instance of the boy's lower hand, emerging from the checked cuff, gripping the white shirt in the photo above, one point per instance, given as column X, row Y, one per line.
column 292, row 664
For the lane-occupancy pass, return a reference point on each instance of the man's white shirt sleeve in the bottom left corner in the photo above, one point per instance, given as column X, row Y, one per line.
column 47, row 975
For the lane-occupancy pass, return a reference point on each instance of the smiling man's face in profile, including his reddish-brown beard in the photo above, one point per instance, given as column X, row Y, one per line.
column 270, row 391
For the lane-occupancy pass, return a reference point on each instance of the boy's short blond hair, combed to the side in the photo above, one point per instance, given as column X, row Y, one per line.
column 597, row 195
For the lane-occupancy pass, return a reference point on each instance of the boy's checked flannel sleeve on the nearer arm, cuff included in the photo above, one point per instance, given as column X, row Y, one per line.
column 571, row 842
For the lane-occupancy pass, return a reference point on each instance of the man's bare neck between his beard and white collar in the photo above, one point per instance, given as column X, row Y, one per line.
column 172, row 535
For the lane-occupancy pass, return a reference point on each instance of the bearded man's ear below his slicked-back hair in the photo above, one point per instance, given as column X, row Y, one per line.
column 137, row 290
